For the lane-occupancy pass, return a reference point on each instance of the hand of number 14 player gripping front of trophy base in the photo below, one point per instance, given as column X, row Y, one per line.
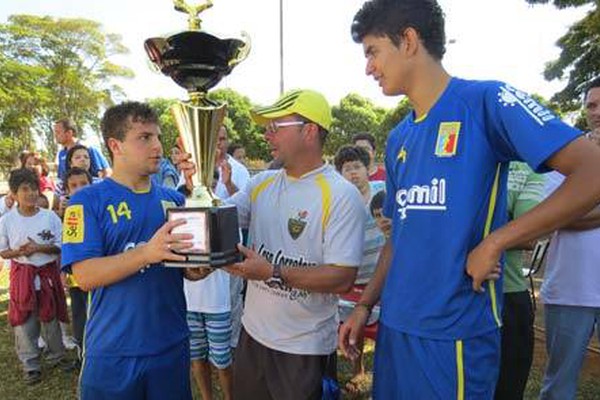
column 162, row 244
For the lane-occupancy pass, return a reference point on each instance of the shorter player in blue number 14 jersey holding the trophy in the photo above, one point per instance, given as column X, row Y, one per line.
column 114, row 241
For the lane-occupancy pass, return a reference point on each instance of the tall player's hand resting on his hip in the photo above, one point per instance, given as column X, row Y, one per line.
column 483, row 264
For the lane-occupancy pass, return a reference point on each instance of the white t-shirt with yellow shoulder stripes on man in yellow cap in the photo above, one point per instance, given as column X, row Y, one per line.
column 314, row 220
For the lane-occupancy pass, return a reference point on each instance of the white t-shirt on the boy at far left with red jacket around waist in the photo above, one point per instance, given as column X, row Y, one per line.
column 43, row 228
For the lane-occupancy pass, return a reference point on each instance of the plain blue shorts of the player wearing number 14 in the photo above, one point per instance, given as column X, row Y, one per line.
column 161, row 376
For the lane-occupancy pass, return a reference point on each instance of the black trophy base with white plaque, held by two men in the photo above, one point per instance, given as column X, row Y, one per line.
column 217, row 230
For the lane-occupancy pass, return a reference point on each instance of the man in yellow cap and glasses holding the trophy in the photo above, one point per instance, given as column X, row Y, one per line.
column 306, row 227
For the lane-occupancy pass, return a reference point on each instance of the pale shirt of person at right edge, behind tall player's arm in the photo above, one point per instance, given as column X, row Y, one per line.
column 572, row 275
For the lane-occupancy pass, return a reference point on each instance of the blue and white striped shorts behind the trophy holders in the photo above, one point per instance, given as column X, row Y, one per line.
column 210, row 338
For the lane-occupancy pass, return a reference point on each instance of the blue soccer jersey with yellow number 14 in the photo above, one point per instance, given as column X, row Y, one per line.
column 145, row 313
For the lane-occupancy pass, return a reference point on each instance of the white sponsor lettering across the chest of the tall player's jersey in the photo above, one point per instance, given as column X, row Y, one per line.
column 431, row 197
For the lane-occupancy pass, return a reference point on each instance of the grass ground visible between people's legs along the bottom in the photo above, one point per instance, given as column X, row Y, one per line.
column 59, row 385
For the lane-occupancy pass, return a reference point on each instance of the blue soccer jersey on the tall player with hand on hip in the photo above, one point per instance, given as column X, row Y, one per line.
column 441, row 192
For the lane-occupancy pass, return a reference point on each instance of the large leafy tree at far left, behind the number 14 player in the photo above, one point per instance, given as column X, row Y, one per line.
column 53, row 68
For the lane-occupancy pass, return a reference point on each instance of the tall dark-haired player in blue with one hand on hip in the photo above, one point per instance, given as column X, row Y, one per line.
column 447, row 165
